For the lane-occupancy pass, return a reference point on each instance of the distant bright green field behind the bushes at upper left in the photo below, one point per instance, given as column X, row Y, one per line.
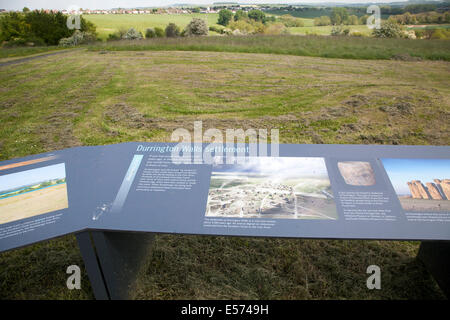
column 110, row 23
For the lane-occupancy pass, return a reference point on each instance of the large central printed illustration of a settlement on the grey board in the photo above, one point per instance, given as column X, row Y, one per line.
column 268, row 187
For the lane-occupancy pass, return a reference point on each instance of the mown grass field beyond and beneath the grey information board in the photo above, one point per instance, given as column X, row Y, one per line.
column 92, row 98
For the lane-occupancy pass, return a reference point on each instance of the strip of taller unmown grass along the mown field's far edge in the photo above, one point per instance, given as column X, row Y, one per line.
column 314, row 46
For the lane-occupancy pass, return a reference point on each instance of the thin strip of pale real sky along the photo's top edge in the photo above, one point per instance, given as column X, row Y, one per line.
column 107, row 4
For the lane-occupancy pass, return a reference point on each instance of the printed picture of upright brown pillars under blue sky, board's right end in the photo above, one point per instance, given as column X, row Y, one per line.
column 422, row 185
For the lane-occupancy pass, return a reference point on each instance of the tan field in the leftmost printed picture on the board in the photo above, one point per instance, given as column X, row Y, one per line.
column 33, row 203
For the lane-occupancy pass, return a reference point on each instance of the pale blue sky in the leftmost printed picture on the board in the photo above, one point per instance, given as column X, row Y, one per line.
column 33, row 176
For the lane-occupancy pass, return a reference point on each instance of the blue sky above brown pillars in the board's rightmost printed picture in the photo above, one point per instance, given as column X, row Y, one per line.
column 401, row 171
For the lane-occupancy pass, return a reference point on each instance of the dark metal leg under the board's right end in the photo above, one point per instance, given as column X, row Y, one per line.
column 436, row 257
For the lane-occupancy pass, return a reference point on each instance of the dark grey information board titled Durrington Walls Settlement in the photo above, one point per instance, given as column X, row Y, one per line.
column 308, row 191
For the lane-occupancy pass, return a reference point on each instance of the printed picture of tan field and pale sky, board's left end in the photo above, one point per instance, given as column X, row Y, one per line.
column 32, row 192
